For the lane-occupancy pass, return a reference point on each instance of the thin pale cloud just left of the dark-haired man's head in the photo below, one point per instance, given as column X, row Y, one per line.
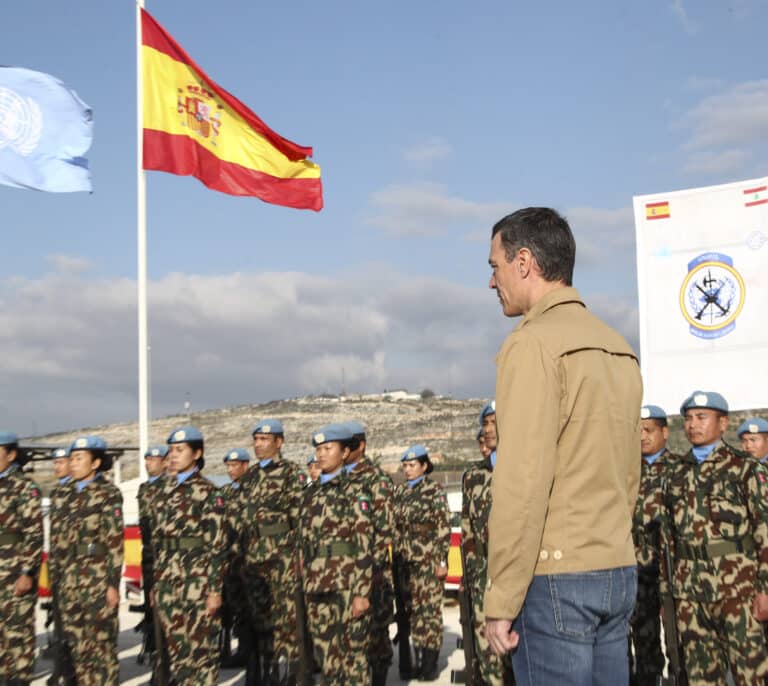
column 427, row 209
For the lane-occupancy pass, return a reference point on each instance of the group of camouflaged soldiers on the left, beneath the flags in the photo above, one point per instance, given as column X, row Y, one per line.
column 303, row 570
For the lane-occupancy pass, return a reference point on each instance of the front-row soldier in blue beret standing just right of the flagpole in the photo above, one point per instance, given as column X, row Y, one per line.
column 188, row 543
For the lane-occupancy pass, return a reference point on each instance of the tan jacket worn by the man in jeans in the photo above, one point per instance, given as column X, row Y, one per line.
column 568, row 396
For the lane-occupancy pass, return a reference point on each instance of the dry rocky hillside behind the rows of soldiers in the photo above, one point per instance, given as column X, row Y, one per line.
column 447, row 426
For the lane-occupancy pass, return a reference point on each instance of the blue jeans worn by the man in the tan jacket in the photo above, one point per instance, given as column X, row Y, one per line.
column 573, row 629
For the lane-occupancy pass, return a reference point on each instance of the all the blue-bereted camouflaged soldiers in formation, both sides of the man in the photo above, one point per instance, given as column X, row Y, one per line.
column 307, row 569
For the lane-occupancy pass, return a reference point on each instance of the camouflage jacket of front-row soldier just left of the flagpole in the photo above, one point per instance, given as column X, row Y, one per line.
column 88, row 534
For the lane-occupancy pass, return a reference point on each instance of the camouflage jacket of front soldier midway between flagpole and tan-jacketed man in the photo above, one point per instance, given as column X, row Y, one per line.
column 336, row 538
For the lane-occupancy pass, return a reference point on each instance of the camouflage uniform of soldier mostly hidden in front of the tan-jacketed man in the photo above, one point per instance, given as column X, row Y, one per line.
column 475, row 509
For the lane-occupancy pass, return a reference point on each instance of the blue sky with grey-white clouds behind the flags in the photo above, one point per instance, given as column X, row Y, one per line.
column 430, row 121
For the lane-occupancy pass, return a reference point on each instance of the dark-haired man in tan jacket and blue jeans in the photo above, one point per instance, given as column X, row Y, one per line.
column 561, row 568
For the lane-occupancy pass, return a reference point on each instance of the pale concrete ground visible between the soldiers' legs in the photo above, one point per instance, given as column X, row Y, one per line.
column 134, row 674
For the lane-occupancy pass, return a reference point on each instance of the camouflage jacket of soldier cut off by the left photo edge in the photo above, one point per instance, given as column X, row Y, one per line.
column 21, row 527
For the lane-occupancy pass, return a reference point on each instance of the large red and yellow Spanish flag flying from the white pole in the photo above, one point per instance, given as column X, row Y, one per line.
column 192, row 126
